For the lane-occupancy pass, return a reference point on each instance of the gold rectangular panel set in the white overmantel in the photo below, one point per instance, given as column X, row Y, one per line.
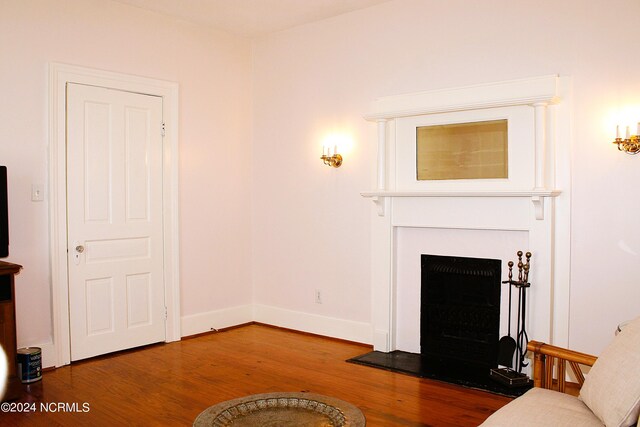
column 475, row 150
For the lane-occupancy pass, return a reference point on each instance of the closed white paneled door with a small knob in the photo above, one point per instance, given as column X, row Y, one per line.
column 114, row 213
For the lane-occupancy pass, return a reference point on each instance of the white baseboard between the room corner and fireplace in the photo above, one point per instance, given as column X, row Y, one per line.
column 313, row 323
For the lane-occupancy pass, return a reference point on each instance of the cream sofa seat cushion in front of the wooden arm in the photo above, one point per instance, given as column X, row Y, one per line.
column 542, row 407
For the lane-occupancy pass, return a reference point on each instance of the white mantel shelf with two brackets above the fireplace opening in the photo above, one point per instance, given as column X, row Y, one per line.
column 537, row 196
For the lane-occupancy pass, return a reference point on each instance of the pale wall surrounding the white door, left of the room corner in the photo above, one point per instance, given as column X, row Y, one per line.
column 213, row 73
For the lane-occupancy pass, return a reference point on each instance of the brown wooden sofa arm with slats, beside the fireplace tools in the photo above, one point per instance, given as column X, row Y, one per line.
column 544, row 356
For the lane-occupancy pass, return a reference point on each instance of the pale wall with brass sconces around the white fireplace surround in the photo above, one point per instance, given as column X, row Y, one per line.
column 310, row 228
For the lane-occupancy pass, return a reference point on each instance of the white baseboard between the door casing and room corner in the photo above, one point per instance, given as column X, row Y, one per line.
column 217, row 319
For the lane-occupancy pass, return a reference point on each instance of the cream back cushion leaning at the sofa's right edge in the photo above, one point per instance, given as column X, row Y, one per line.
column 612, row 387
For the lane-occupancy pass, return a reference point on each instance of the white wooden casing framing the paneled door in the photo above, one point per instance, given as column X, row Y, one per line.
column 58, row 353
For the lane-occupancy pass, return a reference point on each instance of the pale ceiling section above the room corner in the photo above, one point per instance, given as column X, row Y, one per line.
column 252, row 18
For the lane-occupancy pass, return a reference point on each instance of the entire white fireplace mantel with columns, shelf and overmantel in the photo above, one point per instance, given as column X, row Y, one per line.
column 534, row 199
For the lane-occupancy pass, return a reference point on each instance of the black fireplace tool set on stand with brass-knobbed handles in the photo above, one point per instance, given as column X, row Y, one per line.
column 511, row 375
